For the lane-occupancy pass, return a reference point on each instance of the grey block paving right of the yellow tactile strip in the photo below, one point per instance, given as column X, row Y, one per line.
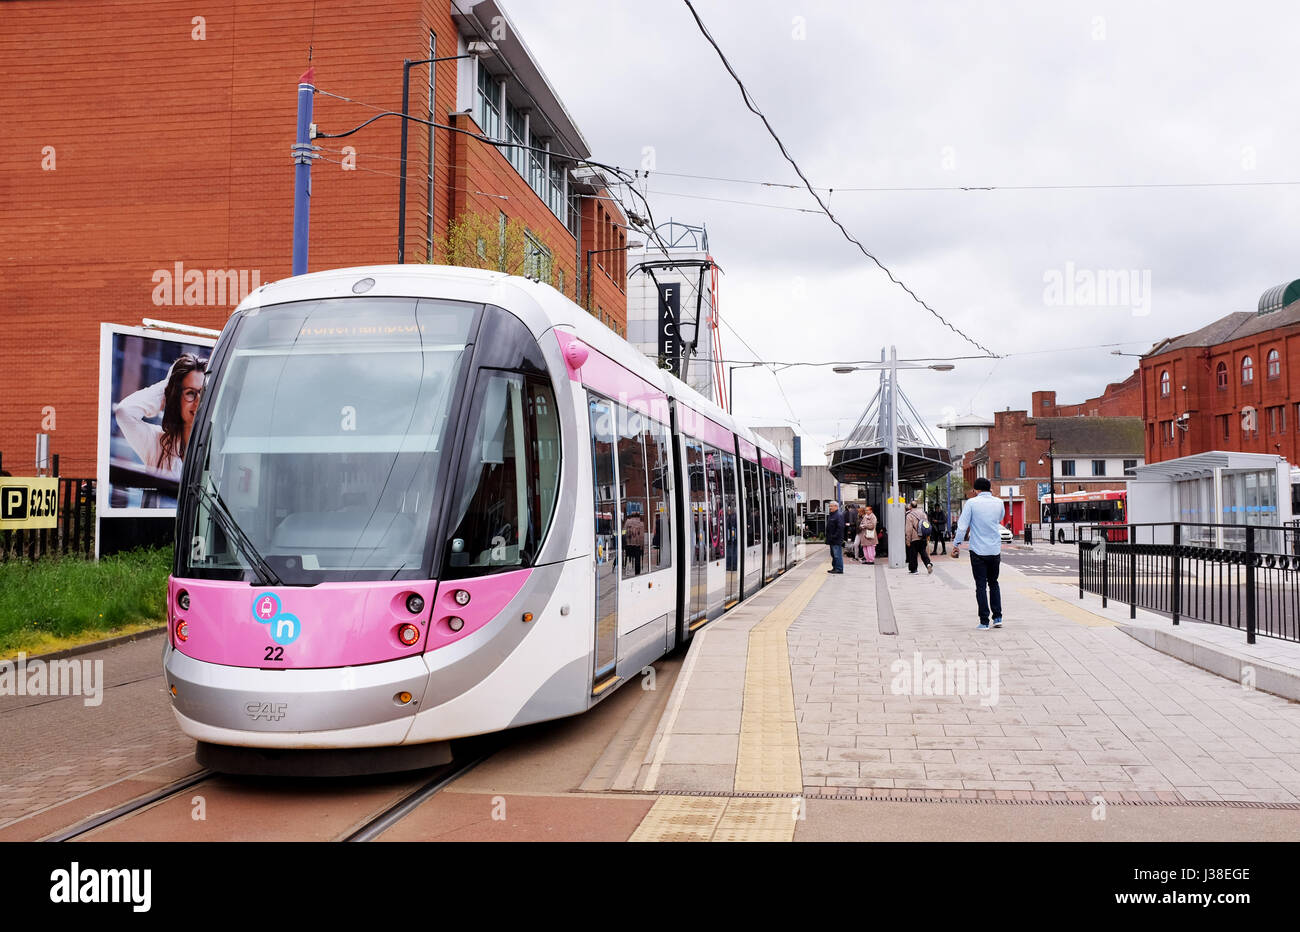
column 1056, row 701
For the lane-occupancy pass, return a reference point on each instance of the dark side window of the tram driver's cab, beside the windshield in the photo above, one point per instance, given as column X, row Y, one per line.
column 509, row 478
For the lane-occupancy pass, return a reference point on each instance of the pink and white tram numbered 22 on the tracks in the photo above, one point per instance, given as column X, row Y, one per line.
column 423, row 504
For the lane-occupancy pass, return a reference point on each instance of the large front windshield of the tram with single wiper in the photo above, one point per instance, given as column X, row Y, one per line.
column 324, row 444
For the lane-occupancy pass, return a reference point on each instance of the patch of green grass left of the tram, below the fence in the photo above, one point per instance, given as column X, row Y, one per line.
column 71, row 597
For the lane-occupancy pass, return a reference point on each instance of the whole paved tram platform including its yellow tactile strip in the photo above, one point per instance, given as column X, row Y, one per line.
column 877, row 686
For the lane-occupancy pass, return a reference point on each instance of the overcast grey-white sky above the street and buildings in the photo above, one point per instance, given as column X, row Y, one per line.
column 947, row 96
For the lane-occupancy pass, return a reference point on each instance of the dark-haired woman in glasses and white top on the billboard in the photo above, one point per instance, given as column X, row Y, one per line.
column 162, row 448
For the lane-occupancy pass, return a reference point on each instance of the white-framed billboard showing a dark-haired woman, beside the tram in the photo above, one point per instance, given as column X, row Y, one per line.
column 150, row 388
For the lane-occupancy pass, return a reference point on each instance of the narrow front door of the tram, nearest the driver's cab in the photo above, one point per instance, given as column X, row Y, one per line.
column 606, row 552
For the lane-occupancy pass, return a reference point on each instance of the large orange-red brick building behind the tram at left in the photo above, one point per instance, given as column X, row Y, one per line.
column 148, row 133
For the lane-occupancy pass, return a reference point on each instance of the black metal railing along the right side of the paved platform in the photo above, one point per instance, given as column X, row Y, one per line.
column 1245, row 578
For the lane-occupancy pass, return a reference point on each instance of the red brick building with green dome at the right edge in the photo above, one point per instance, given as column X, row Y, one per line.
column 1233, row 385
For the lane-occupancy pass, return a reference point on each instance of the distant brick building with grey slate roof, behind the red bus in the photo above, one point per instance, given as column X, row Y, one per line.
column 1090, row 453
